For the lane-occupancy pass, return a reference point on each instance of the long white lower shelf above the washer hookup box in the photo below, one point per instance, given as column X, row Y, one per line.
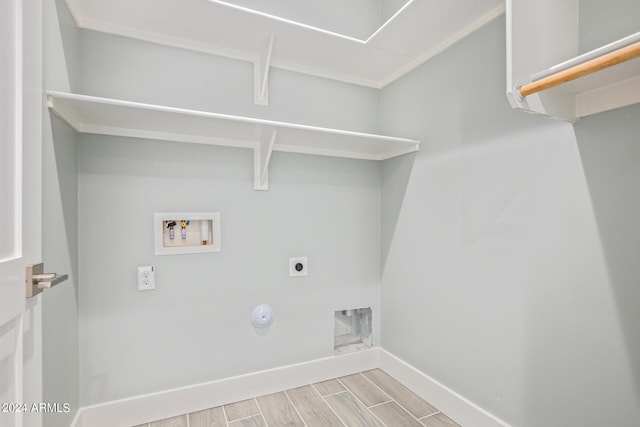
column 89, row 114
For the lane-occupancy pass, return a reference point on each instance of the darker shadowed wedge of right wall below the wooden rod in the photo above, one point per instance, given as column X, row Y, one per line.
column 609, row 150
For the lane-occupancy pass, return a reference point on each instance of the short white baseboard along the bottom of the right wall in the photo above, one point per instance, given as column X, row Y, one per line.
column 457, row 407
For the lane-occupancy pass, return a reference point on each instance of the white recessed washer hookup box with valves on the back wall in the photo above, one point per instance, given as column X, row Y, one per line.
column 186, row 232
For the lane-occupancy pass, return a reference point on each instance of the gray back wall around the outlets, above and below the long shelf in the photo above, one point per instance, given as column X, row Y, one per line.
column 195, row 326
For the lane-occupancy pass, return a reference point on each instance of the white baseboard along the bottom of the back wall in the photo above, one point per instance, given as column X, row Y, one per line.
column 156, row 406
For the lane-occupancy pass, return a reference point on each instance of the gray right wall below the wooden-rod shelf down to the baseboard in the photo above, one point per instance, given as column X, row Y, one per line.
column 508, row 249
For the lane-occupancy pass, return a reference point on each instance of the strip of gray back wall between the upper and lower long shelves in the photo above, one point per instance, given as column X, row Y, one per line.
column 117, row 67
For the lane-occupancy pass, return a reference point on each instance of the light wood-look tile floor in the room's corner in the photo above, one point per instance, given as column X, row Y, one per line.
column 368, row 399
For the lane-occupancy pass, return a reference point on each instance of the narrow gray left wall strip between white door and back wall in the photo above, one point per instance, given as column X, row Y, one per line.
column 60, row 345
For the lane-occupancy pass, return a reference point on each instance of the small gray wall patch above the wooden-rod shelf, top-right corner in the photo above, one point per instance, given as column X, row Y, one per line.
column 602, row 22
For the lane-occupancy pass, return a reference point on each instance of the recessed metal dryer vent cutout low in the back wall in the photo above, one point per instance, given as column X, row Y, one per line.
column 352, row 330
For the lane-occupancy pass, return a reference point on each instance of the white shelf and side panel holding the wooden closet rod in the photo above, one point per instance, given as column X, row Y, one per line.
column 530, row 34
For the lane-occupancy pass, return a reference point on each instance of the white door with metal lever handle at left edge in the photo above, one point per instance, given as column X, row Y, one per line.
column 21, row 103
